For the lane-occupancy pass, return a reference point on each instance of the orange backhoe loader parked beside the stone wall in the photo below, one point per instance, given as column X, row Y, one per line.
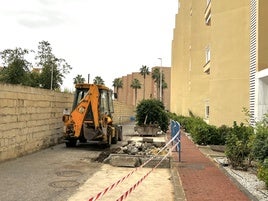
column 91, row 117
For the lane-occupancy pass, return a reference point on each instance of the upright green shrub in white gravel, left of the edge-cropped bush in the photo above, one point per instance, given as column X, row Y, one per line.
column 238, row 147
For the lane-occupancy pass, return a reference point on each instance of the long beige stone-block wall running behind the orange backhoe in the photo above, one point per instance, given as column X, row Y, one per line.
column 31, row 118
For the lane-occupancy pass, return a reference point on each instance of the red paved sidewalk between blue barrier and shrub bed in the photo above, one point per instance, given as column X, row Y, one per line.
column 201, row 179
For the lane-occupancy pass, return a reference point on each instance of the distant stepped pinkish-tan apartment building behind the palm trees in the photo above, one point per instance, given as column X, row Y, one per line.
column 126, row 94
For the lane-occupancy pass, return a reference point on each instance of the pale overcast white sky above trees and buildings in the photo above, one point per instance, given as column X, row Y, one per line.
column 106, row 38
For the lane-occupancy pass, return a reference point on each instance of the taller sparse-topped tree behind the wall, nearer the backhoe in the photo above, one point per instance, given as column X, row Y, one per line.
column 53, row 68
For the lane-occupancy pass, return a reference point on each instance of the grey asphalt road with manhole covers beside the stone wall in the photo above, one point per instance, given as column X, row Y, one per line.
column 50, row 174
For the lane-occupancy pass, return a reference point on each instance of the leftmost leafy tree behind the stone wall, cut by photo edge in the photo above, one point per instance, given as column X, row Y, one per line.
column 16, row 67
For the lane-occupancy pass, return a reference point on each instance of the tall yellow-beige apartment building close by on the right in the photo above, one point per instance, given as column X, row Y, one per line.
column 220, row 60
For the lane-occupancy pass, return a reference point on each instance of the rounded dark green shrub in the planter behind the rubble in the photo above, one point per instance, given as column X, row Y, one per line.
column 152, row 111
